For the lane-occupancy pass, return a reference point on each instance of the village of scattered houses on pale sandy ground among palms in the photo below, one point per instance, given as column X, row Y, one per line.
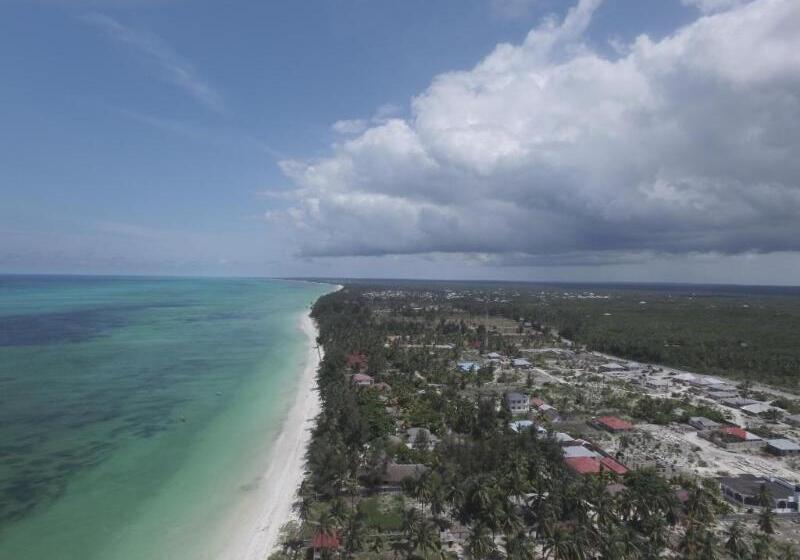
column 607, row 415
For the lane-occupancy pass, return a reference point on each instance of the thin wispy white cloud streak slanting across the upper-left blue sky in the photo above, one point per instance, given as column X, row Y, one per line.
column 172, row 67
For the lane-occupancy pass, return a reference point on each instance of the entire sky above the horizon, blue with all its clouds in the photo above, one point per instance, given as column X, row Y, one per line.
column 575, row 140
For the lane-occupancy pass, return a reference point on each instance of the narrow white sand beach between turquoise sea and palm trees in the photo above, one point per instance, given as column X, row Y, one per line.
column 283, row 478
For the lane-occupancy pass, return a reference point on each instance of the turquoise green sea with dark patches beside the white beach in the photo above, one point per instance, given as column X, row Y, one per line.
column 136, row 414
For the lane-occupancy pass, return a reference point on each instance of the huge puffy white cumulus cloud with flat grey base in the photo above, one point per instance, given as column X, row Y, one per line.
column 551, row 150
